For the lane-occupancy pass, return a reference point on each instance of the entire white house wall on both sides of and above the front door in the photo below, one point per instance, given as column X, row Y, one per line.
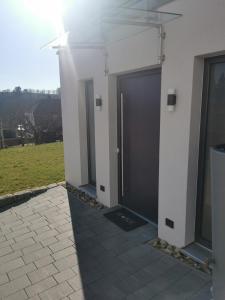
column 198, row 33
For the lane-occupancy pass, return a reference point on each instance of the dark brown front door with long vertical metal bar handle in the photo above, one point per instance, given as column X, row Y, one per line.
column 139, row 119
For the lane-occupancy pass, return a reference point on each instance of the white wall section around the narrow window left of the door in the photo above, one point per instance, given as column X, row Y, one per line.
column 76, row 66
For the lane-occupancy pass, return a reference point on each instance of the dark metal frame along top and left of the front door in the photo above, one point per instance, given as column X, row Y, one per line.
column 119, row 78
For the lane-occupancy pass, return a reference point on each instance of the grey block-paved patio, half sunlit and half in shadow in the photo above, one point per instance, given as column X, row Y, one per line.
column 56, row 247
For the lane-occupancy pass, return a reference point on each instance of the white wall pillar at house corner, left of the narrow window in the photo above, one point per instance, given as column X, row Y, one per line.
column 70, row 113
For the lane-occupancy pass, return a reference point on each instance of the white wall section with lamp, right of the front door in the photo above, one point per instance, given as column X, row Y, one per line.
column 198, row 33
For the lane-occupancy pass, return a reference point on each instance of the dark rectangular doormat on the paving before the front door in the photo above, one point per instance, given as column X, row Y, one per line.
column 125, row 219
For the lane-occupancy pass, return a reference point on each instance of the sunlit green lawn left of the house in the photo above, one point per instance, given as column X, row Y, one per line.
column 30, row 166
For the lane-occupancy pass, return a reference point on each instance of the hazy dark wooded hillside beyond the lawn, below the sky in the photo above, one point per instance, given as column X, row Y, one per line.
column 45, row 110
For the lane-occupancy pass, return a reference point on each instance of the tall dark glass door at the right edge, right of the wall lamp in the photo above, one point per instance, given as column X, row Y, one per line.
column 212, row 134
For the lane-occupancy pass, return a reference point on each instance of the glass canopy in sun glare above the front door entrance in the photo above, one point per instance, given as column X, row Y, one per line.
column 110, row 21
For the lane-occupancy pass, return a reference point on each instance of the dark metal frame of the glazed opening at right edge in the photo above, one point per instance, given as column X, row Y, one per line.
column 202, row 148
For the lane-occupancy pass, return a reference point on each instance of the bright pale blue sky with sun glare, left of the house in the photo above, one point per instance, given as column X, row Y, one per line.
column 24, row 29
